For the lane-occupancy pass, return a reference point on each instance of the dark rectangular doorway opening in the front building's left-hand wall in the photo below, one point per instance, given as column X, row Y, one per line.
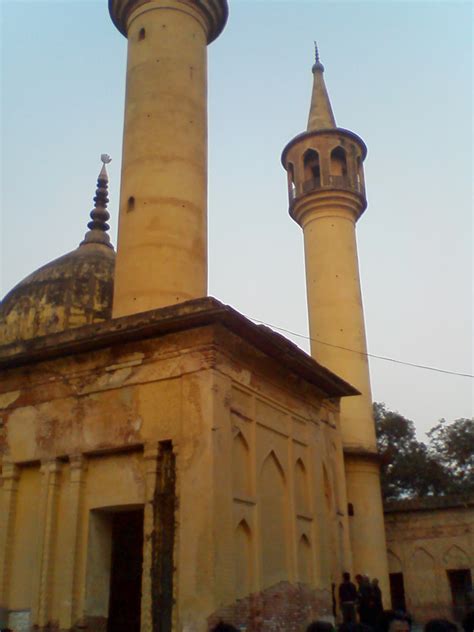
column 126, row 572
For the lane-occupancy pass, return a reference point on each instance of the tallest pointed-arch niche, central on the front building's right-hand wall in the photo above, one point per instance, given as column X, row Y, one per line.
column 272, row 505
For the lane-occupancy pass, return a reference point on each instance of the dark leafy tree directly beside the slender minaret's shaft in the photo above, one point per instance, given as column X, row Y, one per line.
column 409, row 468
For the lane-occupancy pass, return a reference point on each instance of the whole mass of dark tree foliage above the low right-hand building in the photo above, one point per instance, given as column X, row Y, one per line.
column 410, row 468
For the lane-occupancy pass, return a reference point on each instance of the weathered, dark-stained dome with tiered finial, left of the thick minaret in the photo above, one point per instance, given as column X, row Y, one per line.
column 73, row 290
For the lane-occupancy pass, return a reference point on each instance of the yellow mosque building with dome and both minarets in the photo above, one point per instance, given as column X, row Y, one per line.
column 166, row 463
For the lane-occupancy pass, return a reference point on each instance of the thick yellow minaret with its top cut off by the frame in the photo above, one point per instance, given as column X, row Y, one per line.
column 162, row 239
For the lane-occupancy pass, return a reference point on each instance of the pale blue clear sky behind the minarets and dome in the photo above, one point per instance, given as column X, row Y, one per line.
column 399, row 74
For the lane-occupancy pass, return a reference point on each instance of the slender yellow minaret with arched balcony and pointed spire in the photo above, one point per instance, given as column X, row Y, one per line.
column 327, row 197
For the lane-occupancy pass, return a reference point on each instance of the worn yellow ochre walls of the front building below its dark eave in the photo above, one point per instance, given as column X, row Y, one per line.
column 80, row 437
